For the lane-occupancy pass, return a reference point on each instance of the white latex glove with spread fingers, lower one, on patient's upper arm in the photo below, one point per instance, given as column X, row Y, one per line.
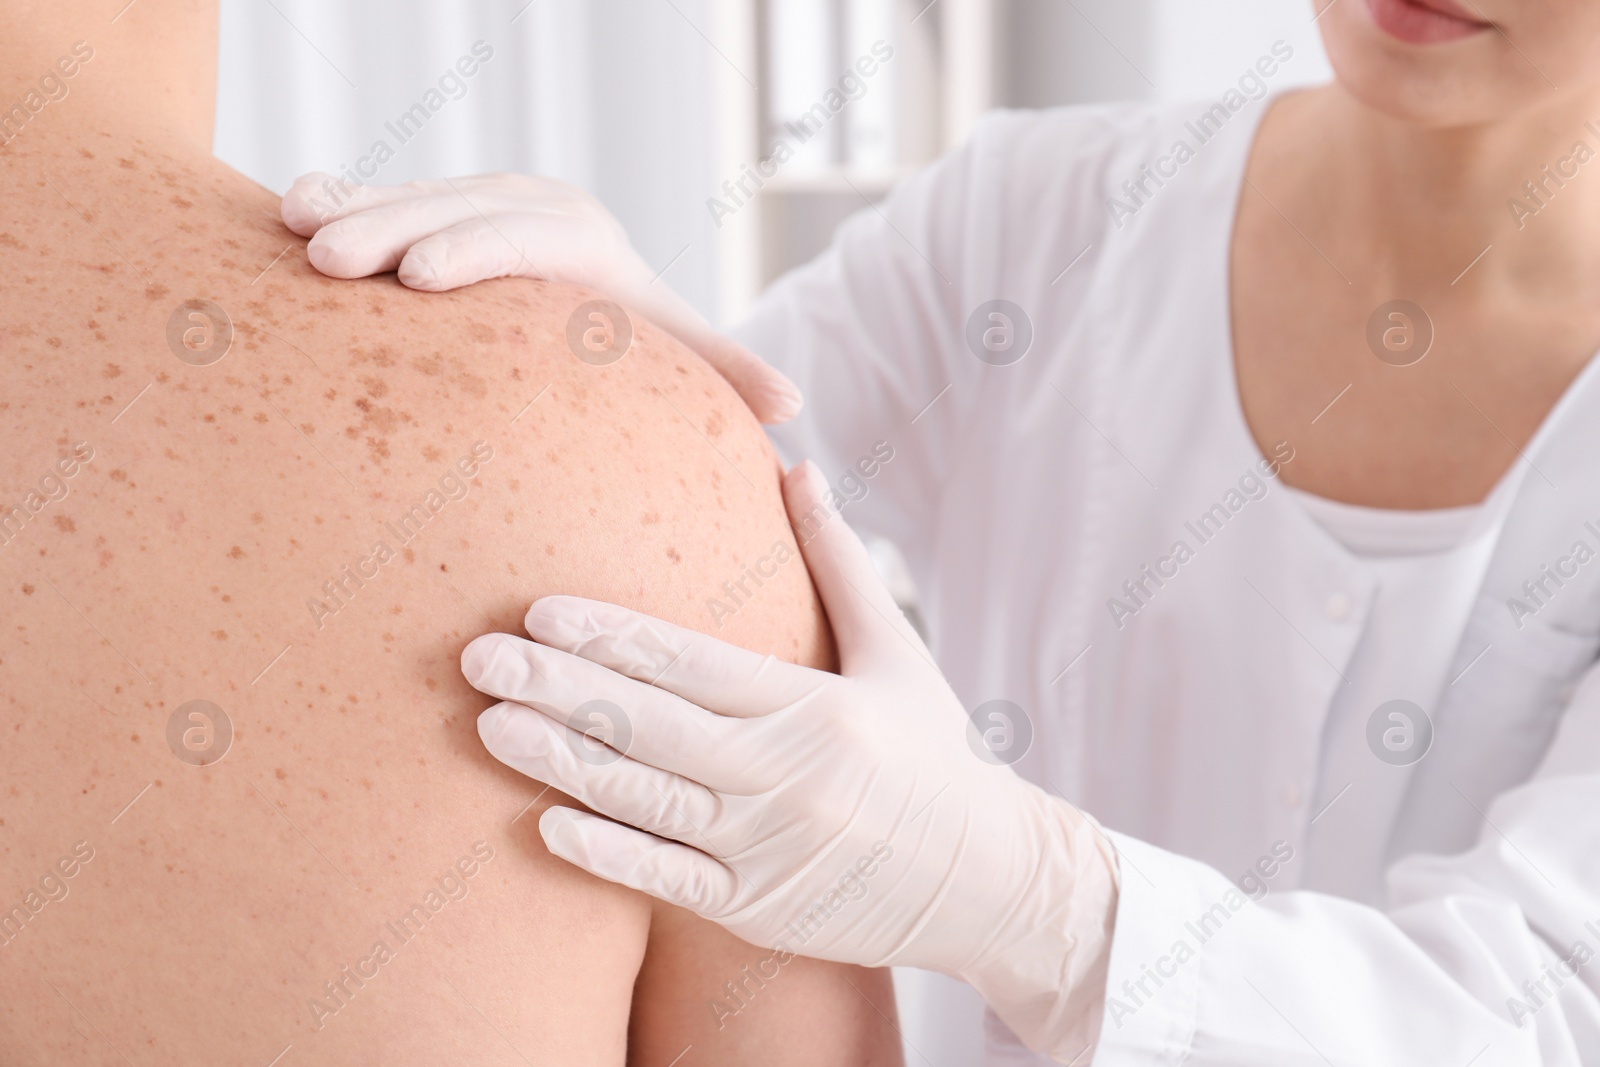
column 838, row 817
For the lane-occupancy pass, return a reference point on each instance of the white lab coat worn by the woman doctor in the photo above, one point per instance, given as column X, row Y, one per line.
column 1026, row 495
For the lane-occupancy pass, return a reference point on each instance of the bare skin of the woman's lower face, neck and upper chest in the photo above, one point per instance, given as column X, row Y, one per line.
column 1394, row 183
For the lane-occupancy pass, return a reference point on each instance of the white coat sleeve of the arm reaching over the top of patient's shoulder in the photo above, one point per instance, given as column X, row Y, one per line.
column 865, row 332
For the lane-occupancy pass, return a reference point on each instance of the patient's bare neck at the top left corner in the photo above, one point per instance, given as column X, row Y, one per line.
column 146, row 66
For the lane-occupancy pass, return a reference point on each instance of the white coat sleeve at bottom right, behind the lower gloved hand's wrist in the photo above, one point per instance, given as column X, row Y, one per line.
column 1490, row 957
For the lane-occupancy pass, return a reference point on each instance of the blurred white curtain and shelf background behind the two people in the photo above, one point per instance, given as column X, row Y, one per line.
column 730, row 137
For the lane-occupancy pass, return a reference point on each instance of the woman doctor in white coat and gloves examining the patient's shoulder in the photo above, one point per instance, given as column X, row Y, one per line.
column 1244, row 454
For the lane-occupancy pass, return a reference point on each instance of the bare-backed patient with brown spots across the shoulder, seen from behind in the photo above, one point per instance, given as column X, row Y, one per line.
column 244, row 812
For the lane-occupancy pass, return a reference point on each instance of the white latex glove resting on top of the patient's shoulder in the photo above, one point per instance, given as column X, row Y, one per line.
column 446, row 234
